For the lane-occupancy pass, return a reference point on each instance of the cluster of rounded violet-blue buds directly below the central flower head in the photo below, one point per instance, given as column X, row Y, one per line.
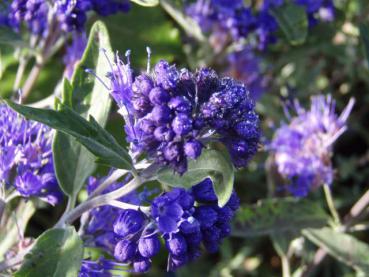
column 182, row 219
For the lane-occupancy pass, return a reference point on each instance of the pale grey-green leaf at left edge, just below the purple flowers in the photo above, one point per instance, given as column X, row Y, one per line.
column 9, row 227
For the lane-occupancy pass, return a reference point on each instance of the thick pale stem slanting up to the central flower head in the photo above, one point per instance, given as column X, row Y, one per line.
column 100, row 200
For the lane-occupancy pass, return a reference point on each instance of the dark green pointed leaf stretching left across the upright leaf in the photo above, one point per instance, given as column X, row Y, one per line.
column 89, row 133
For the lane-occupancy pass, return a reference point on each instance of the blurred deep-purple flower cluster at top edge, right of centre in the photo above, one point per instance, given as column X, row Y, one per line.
column 239, row 20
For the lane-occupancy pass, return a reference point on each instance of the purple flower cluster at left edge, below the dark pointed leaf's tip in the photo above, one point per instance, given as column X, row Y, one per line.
column 26, row 161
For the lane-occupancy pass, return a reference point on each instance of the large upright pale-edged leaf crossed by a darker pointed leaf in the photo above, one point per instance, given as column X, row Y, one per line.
column 74, row 163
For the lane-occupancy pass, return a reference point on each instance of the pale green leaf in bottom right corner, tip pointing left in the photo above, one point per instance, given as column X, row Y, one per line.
column 343, row 247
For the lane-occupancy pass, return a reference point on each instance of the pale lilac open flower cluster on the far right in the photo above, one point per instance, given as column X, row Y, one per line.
column 302, row 149
